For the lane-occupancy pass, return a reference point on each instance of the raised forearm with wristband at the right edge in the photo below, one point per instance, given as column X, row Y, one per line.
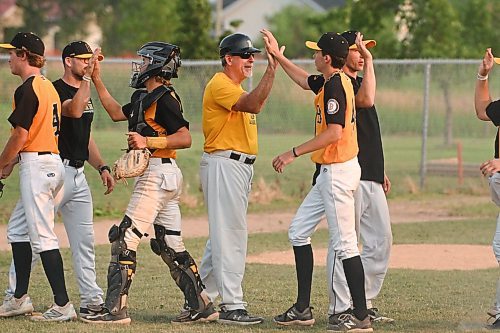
column 482, row 96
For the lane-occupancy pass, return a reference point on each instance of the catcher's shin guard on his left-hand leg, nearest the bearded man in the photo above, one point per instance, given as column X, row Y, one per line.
column 121, row 268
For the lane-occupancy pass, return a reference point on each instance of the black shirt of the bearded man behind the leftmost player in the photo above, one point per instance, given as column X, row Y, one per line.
column 75, row 132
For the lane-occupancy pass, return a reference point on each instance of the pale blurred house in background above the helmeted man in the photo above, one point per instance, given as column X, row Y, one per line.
column 253, row 14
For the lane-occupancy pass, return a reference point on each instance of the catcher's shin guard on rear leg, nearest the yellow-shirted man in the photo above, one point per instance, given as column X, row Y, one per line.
column 183, row 270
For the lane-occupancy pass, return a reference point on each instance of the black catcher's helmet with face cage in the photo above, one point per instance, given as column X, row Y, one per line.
column 164, row 60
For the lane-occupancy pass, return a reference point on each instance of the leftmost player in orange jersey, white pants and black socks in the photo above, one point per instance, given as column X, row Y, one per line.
column 33, row 143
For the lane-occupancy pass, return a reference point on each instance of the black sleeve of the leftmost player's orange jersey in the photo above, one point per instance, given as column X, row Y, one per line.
column 26, row 103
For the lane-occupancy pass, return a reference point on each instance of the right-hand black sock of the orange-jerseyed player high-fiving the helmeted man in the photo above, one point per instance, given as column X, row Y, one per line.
column 355, row 276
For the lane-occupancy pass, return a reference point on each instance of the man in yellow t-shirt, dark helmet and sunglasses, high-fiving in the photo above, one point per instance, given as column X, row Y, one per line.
column 226, row 170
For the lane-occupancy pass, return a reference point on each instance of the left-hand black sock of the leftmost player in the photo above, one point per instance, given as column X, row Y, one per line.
column 21, row 253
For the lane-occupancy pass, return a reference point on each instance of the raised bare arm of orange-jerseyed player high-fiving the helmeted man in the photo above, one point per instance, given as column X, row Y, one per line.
column 296, row 73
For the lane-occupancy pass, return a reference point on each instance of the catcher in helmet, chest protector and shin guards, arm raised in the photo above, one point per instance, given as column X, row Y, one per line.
column 156, row 121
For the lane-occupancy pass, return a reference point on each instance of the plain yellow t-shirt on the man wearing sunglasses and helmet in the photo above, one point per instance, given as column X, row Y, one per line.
column 223, row 127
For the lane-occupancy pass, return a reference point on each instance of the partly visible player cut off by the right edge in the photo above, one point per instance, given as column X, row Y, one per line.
column 489, row 110
